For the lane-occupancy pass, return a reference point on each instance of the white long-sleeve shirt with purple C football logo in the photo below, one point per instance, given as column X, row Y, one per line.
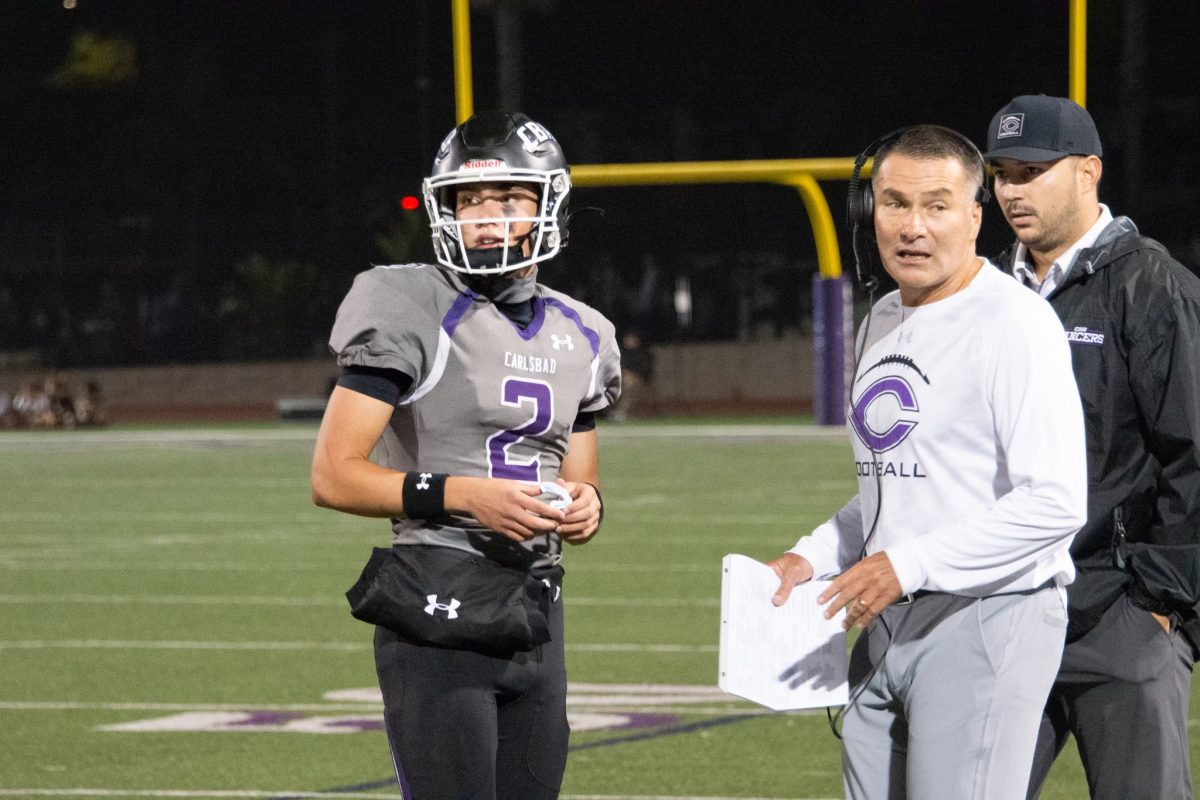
column 967, row 416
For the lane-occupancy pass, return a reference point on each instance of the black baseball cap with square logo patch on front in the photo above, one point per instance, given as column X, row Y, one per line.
column 1039, row 129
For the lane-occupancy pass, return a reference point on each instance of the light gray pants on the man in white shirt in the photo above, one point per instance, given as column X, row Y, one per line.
column 952, row 690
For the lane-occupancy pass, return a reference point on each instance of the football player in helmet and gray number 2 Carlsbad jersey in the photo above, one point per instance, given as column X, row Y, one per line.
column 475, row 384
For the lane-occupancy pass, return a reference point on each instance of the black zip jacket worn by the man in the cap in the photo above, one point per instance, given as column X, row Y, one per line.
column 1133, row 318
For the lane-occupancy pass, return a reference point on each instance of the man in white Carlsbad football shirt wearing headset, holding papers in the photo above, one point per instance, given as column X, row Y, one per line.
column 955, row 552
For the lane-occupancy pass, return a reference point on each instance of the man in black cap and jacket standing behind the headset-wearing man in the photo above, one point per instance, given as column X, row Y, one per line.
column 1132, row 315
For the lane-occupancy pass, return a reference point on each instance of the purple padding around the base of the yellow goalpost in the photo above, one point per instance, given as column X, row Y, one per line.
column 833, row 318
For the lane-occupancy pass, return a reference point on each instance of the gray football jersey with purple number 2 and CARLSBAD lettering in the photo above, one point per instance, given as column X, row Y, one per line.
column 488, row 398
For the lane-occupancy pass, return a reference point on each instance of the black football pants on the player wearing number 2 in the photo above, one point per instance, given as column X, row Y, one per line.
column 465, row 726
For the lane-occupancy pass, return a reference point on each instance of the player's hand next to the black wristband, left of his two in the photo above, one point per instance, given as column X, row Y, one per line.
column 509, row 508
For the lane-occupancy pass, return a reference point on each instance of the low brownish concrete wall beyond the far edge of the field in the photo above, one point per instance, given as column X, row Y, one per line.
column 701, row 378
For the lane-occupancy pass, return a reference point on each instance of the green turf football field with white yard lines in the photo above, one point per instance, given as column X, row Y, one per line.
column 172, row 621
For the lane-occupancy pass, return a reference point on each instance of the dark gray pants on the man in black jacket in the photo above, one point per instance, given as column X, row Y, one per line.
column 1124, row 693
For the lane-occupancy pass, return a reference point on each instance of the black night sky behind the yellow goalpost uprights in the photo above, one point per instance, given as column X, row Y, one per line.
column 291, row 129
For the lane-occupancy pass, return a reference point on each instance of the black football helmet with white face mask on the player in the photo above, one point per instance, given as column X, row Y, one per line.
column 503, row 148
